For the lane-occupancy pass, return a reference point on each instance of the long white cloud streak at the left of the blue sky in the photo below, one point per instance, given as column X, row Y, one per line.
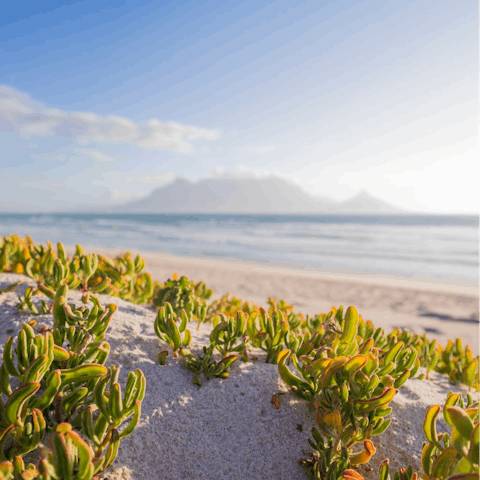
column 20, row 115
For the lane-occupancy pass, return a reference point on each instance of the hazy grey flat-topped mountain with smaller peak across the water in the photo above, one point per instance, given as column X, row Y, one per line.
column 246, row 195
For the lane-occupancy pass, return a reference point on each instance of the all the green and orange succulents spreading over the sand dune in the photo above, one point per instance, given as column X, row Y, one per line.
column 346, row 369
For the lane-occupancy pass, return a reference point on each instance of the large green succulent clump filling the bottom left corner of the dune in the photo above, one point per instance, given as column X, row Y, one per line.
column 57, row 389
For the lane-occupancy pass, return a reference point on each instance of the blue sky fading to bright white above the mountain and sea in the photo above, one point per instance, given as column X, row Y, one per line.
column 104, row 102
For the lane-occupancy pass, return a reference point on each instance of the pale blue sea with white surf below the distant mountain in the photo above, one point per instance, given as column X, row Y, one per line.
column 437, row 246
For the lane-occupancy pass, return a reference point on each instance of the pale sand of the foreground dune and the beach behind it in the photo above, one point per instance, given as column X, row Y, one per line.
column 229, row 429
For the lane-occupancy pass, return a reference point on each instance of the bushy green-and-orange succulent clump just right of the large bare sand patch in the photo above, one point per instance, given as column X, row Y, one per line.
column 350, row 384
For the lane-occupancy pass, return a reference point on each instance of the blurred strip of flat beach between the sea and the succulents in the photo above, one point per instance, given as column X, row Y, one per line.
column 443, row 309
